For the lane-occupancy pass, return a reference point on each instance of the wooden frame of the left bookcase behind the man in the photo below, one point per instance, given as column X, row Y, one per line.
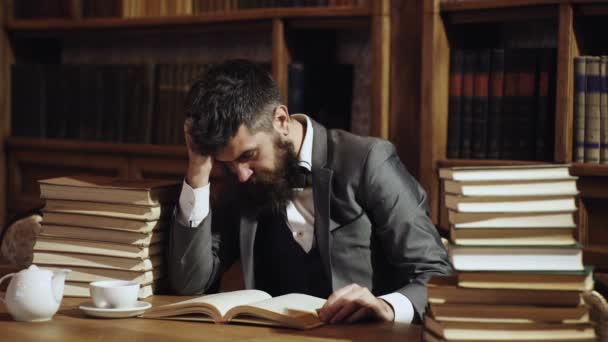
column 28, row 159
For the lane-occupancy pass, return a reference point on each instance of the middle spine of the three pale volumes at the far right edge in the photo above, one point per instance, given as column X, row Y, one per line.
column 592, row 111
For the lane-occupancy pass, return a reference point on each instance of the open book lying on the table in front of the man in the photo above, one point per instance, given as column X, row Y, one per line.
column 292, row 310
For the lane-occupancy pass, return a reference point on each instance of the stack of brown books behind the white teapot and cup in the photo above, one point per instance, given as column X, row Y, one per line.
column 105, row 228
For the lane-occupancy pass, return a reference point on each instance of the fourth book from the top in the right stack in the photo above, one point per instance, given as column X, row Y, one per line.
column 511, row 220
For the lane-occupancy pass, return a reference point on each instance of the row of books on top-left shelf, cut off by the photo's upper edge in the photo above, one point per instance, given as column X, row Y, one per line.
column 30, row 9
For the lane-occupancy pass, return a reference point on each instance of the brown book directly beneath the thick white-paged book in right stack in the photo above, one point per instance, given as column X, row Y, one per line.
column 533, row 280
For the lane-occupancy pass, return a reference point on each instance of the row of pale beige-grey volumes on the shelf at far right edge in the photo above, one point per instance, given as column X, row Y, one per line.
column 591, row 109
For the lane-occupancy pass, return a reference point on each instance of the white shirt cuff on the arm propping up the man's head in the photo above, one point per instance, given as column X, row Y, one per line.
column 193, row 205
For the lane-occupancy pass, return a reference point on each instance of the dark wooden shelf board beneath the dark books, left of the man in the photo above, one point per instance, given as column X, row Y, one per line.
column 65, row 145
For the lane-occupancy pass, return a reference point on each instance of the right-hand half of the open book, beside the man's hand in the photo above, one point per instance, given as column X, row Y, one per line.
column 291, row 310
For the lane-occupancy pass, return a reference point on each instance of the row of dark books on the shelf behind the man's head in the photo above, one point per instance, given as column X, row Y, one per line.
column 145, row 103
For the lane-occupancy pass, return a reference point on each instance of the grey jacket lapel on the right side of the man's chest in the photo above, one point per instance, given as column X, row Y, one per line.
column 321, row 176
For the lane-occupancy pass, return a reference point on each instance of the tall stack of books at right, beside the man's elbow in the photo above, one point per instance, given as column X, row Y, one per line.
column 519, row 273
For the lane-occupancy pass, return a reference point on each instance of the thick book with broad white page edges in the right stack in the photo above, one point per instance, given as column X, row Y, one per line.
column 516, row 258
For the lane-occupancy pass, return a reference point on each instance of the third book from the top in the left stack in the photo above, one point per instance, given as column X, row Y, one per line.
column 102, row 222
